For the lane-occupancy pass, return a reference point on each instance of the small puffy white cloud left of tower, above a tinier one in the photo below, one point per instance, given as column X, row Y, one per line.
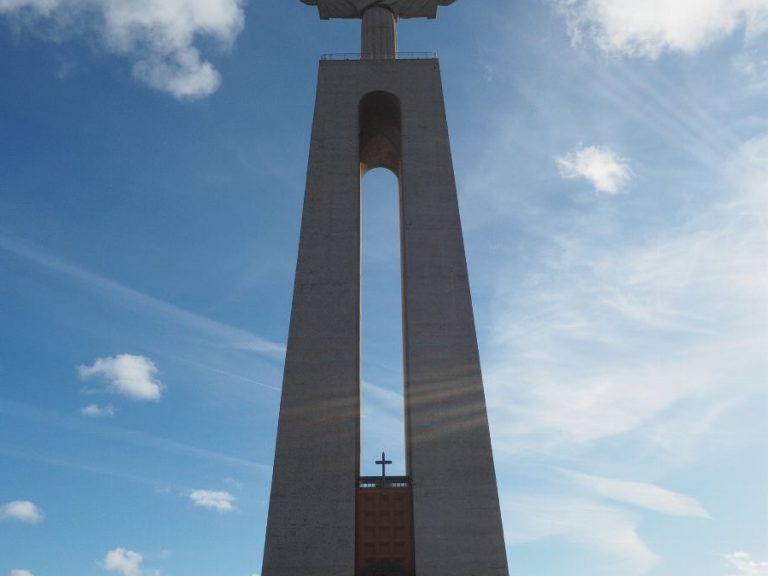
column 129, row 375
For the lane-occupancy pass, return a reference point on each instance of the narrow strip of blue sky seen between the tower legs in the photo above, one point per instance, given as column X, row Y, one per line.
column 382, row 404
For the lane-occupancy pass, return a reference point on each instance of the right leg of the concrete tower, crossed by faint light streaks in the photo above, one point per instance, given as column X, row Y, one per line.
column 456, row 508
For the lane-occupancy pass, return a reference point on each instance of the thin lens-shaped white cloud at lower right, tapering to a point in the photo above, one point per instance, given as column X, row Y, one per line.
column 641, row 494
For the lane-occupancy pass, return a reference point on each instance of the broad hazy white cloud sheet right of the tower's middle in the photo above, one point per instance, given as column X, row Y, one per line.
column 604, row 338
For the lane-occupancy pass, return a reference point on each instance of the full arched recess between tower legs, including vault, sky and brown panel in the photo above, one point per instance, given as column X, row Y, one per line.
column 384, row 506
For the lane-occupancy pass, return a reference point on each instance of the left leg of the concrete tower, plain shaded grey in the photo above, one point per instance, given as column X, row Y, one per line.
column 311, row 522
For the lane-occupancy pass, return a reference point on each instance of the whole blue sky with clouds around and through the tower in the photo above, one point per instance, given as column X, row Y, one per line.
column 612, row 161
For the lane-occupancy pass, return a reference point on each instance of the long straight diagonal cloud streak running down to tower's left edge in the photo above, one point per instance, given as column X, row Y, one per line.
column 231, row 336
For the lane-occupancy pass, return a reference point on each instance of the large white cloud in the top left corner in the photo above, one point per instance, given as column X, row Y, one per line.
column 160, row 36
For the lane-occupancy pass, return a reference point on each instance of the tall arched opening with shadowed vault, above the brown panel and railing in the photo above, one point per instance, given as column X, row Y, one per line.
column 382, row 406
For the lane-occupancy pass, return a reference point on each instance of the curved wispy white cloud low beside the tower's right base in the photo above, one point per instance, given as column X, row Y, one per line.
column 582, row 522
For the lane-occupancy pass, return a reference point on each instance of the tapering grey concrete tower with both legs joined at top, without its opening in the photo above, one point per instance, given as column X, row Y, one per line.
column 457, row 523
